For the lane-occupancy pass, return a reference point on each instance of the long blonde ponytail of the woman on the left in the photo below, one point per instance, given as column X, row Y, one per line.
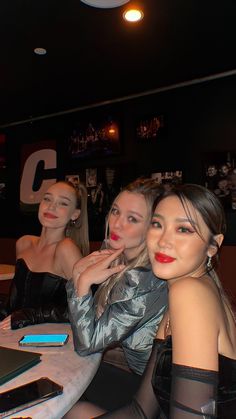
column 78, row 230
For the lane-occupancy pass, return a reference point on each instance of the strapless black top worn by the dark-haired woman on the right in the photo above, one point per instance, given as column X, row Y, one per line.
column 162, row 379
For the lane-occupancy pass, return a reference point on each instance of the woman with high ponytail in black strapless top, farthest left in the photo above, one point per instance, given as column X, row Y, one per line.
column 44, row 263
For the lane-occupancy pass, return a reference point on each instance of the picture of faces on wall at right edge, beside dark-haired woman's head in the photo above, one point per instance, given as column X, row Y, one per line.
column 220, row 176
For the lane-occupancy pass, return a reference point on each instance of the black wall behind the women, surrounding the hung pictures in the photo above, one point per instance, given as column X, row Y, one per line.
column 199, row 119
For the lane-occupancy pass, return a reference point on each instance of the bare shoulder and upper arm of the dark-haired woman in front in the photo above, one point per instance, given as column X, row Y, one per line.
column 195, row 319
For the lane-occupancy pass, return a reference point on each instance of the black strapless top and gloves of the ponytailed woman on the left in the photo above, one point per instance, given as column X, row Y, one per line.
column 36, row 297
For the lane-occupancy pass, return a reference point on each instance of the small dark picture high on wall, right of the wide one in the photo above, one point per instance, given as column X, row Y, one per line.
column 150, row 128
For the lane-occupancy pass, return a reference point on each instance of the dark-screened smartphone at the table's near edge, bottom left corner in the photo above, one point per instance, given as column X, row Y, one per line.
column 28, row 395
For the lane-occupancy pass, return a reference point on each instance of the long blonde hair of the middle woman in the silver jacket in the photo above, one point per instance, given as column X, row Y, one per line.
column 150, row 189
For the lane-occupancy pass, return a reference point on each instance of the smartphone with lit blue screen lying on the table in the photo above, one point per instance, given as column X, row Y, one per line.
column 49, row 339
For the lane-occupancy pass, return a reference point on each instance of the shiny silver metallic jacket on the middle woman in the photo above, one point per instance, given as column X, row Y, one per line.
column 135, row 308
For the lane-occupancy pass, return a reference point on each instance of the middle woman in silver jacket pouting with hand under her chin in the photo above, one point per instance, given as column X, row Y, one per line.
column 129, row 303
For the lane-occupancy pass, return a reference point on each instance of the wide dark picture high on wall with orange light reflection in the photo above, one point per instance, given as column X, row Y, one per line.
column 94, row 139
